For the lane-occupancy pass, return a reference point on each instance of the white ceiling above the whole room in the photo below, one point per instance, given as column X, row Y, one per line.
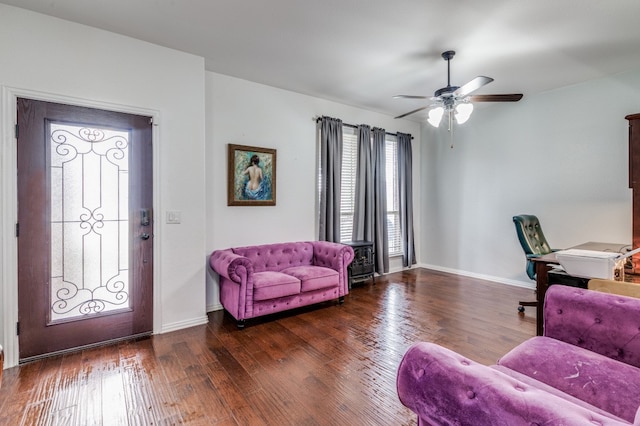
column 361, row 53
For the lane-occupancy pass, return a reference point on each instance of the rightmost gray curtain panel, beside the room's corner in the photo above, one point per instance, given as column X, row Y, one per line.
column 405, row 194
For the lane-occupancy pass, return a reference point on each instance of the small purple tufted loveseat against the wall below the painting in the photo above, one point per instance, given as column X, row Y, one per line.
column 265, row 279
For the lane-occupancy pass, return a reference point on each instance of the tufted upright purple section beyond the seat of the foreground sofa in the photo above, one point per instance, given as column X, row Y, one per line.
column 604, row 323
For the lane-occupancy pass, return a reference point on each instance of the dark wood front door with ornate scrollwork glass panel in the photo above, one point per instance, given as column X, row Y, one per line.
column 85, row 228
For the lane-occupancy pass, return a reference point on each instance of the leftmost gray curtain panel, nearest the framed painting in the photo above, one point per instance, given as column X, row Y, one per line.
column 330, row 178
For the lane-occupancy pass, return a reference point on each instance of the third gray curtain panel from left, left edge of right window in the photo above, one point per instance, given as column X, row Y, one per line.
column 381, row 240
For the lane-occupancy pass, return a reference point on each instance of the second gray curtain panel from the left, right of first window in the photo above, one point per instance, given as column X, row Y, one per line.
column 363, row 215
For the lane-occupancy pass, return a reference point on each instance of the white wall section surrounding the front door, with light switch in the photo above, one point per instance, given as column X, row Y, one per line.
column 54, row 58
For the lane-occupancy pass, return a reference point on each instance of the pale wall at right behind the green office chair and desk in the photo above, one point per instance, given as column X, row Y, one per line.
column 561, row 155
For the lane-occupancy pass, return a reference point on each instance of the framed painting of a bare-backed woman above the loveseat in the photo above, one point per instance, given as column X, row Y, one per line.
column 251, row 176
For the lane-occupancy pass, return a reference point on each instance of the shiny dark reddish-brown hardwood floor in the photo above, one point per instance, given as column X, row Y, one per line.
column 327, row 365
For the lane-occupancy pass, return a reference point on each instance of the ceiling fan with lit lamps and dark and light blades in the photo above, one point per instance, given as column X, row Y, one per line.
column 456, row 100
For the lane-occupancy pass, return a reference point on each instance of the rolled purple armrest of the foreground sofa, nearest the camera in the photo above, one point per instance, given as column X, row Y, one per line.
column 443, row 387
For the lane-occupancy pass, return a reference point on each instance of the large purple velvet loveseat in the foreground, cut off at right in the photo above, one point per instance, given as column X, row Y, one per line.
column 584, row 370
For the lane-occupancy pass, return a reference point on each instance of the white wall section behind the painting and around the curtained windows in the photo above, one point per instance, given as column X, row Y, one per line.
column 245, row 113
